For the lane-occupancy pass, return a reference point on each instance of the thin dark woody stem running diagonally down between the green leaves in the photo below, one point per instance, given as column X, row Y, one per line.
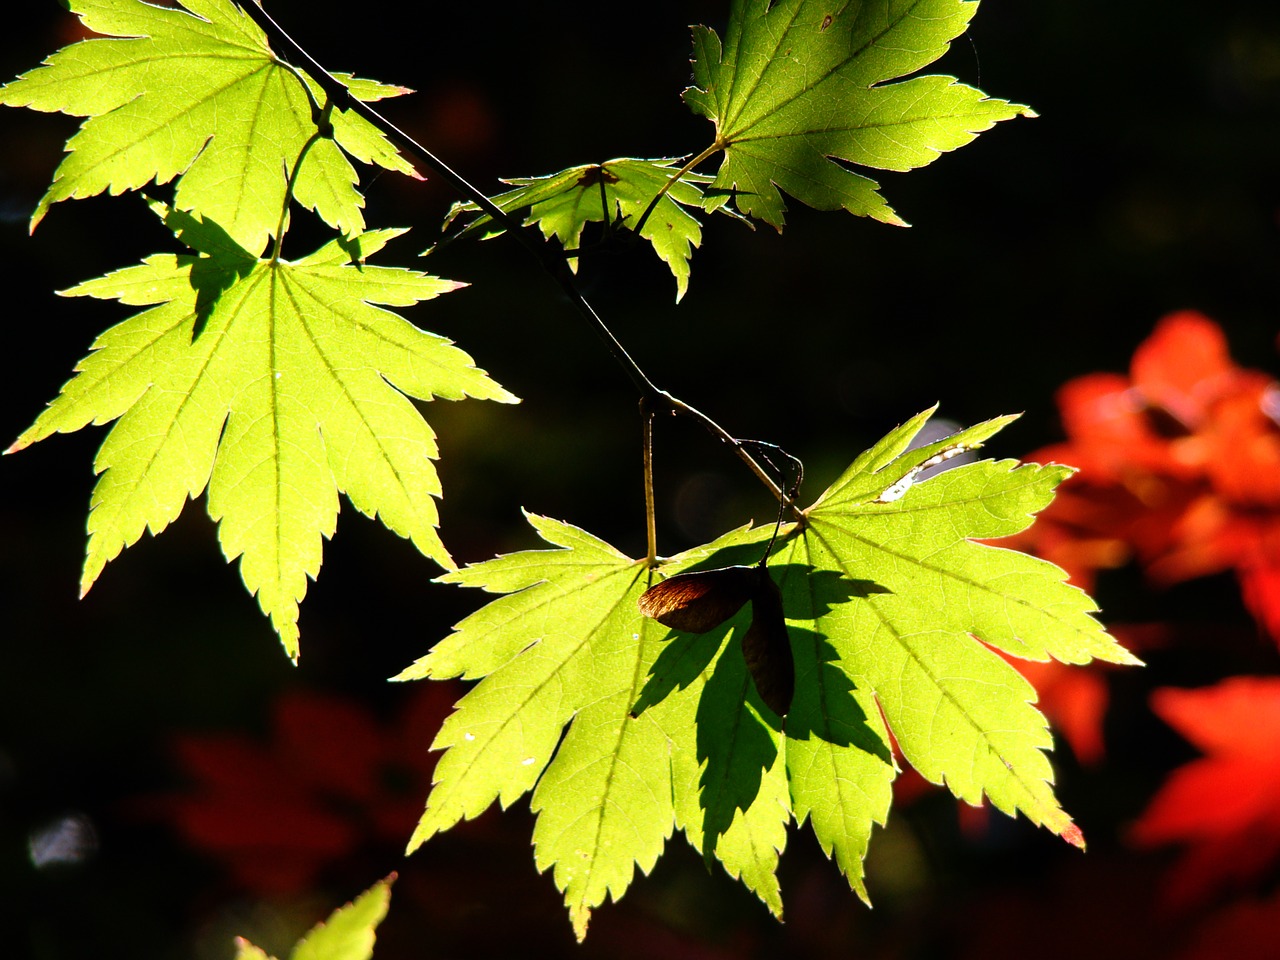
column 339, row 97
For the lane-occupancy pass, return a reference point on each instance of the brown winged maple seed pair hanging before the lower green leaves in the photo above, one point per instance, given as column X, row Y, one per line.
column 703, row 601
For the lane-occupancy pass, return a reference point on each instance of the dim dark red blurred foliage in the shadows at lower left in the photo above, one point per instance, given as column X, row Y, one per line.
column 331, row 783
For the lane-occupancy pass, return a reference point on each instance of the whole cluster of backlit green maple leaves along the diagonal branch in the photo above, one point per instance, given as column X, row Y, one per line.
column 275, row 385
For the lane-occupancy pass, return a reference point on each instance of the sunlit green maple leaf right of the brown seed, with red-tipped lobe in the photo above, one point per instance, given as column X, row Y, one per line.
column 926, row 604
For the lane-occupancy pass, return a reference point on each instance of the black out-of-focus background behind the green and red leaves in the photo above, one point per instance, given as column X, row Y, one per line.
column 1045, row 250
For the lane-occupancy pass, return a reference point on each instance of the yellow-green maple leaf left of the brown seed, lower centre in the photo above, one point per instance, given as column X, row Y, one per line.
column 568, row 647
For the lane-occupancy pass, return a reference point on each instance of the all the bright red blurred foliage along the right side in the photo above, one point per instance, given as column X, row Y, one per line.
column 1181, row 474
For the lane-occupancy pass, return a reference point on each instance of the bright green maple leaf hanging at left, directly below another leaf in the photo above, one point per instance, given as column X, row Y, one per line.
column 278, row 386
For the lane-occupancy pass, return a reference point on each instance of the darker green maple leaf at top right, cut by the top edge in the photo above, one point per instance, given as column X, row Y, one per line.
column 798, row 89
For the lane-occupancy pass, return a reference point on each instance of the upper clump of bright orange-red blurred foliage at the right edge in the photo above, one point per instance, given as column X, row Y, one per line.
column 1180, row 469
